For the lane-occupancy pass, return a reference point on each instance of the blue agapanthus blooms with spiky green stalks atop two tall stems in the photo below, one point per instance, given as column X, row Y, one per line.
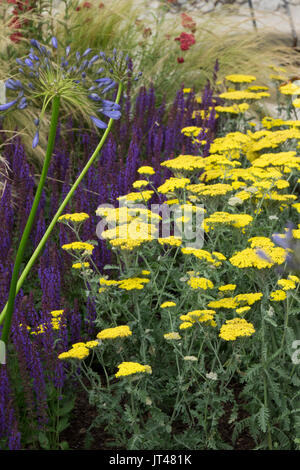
column 75, row 77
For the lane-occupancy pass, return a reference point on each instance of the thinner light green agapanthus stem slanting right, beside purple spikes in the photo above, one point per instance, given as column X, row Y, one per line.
column 62, row 206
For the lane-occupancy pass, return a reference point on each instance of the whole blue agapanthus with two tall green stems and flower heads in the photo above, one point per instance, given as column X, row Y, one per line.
column 54, row 79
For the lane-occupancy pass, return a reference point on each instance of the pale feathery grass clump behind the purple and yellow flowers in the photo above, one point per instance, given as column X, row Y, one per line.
column 149, row 38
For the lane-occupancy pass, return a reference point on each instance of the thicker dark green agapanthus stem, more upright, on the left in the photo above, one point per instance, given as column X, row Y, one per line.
column 22, row 246
